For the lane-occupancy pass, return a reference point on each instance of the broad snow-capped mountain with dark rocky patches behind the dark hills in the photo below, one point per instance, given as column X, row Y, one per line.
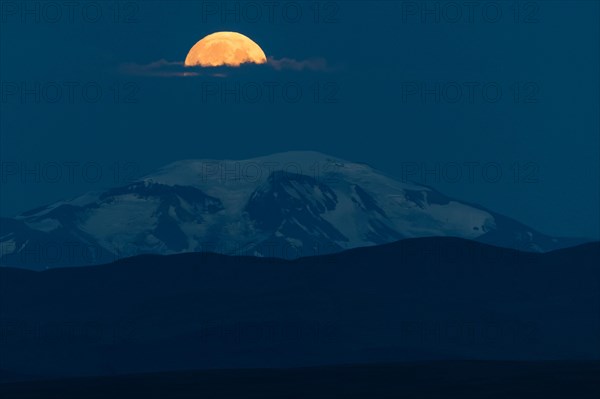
column 287, row 205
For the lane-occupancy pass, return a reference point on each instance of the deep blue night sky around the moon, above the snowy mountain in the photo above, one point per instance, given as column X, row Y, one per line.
column 376, row 52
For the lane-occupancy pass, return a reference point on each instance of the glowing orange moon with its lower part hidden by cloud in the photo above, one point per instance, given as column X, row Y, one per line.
column 225, row 48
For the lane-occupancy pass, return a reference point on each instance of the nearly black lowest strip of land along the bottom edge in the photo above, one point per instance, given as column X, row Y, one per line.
column 568, row 380
